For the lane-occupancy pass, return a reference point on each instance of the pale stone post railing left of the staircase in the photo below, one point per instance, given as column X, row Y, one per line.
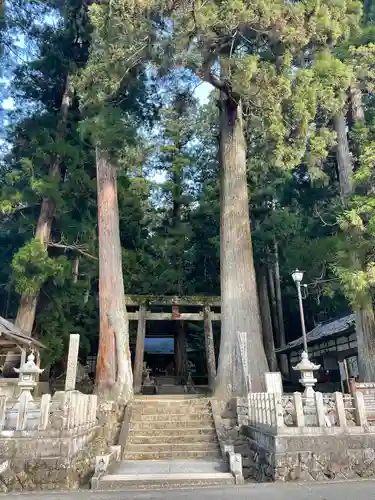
column 64, row 411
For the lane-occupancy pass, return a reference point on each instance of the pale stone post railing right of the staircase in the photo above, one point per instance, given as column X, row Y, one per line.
column 281, row 412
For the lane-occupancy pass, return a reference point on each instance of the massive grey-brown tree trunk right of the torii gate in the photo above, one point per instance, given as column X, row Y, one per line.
column 239, row 300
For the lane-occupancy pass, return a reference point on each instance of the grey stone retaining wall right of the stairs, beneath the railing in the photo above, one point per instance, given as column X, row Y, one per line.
column 334, row 454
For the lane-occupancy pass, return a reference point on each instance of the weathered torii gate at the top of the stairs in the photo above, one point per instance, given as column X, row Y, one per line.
column 142, row 303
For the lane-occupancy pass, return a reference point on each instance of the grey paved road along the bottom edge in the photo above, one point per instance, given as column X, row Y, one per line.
column 364, row 490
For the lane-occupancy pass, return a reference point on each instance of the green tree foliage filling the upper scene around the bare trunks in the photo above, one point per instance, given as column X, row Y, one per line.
column 291, row 63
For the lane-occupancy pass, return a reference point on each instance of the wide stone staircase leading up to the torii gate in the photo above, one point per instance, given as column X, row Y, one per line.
column 168, row 442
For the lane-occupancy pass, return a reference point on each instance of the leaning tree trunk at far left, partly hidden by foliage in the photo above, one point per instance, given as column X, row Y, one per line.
column 28, row 303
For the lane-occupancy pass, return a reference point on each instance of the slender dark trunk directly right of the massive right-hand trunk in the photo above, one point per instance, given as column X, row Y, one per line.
column 265, row 312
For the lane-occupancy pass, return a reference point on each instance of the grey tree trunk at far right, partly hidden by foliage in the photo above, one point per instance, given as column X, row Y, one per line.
column 365, row 320
